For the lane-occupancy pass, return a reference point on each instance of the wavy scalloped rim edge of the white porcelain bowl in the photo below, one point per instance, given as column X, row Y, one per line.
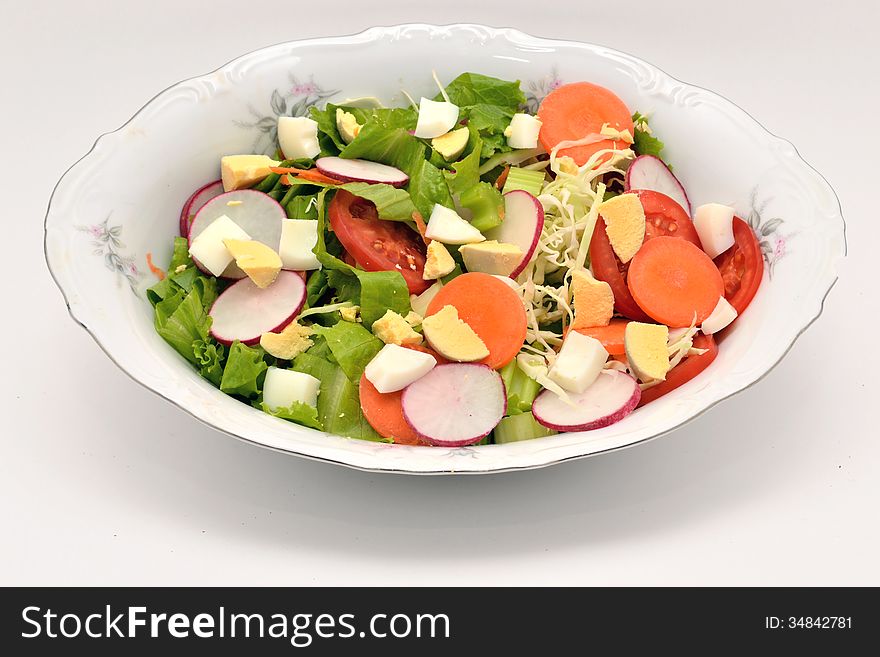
column 414, row 460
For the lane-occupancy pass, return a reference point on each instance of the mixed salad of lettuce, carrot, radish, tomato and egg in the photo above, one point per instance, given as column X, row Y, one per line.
column 466, row 269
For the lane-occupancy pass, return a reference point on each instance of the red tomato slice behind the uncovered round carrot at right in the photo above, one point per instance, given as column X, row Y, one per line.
column 663, row 217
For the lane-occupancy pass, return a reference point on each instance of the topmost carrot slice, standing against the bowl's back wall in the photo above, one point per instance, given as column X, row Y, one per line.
column 577, row 110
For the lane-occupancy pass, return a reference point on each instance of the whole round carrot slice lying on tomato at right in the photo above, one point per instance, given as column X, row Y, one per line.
column 672, row 281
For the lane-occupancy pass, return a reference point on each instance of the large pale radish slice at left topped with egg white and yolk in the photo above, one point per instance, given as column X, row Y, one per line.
column 259, row 215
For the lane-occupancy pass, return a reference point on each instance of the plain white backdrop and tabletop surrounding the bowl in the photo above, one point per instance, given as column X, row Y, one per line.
column 101, row 482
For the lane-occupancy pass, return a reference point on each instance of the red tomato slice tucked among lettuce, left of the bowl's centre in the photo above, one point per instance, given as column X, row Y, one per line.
column 376, row 244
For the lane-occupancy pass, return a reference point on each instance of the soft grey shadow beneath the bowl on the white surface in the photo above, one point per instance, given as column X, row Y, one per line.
column 202, row 481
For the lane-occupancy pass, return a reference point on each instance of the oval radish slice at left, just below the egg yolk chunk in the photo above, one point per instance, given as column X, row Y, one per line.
column 244, row 311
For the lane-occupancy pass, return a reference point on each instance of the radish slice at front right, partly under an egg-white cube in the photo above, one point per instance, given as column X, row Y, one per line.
column 609, row 399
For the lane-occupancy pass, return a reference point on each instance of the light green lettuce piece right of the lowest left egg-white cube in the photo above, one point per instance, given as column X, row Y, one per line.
column 339, row 408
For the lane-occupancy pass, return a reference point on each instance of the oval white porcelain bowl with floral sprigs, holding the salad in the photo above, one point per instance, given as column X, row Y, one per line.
column 122, row 200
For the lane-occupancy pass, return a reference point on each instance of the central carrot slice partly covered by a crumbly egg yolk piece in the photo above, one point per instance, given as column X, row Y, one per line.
column 491, row 308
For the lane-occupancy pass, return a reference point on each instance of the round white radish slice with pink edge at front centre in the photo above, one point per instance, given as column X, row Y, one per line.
column 455, row 404
